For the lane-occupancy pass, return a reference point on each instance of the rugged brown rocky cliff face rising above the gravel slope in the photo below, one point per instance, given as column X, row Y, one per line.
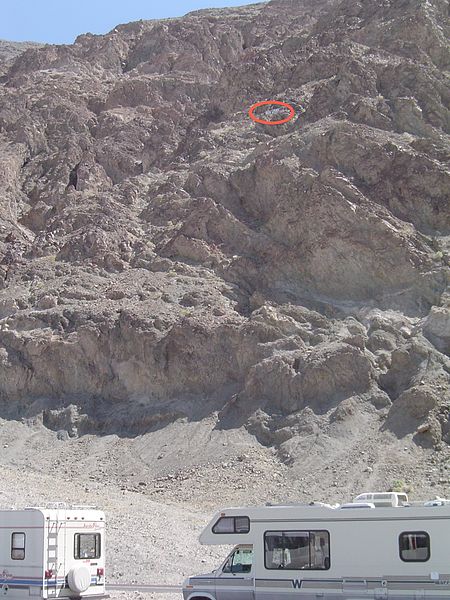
column 165, row 258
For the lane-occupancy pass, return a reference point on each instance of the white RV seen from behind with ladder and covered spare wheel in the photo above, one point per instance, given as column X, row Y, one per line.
column 53, row 552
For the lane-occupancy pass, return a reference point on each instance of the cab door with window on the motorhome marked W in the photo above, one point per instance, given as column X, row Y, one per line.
column 235, row 581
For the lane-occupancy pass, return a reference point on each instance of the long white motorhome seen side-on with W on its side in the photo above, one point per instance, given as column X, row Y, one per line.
column 377, row 547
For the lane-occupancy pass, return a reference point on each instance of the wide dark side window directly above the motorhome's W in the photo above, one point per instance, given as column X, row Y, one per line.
column 295, row 550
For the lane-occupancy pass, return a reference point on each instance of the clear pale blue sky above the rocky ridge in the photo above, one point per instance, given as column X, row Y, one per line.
column 60, row 21
